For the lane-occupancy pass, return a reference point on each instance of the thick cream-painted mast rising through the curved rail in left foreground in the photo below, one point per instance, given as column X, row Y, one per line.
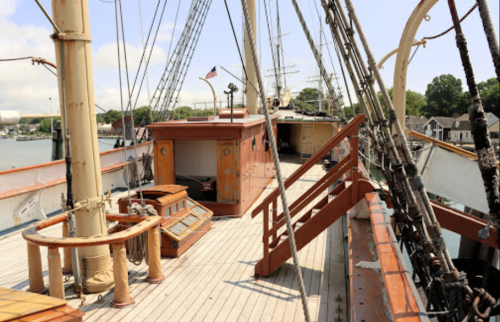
column 75, row 73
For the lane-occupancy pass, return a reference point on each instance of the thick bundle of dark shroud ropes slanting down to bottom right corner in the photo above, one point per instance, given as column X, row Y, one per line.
column 414, row 215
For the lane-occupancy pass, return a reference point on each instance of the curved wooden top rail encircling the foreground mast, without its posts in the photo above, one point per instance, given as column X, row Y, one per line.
column 32, row 236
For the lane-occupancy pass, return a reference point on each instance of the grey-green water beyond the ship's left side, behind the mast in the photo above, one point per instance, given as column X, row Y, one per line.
column 17, row 154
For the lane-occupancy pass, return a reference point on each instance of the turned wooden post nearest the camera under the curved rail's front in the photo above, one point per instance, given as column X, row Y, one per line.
column 122, row 293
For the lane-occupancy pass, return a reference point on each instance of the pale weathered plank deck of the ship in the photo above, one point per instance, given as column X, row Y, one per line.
column 214, row 280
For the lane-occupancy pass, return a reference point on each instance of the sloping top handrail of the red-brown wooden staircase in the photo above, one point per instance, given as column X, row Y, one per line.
column 330, row 145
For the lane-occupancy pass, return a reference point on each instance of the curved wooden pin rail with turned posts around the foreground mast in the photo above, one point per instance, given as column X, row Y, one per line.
column 121, row 295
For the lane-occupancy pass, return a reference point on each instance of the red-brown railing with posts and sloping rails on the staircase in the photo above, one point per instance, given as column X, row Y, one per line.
column 348, row 163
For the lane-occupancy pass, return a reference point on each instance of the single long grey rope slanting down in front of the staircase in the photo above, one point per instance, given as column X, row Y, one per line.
column 269, row 127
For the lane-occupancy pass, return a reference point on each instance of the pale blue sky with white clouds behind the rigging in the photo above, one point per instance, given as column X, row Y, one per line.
column 25, row 32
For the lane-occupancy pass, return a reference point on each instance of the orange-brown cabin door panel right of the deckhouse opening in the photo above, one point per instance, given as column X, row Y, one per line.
column 228, row 171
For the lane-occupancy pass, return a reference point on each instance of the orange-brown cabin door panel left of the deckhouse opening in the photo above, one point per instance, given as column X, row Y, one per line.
column 164, row 162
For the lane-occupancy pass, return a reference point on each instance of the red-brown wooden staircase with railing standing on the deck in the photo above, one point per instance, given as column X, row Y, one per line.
column 318, row 217
